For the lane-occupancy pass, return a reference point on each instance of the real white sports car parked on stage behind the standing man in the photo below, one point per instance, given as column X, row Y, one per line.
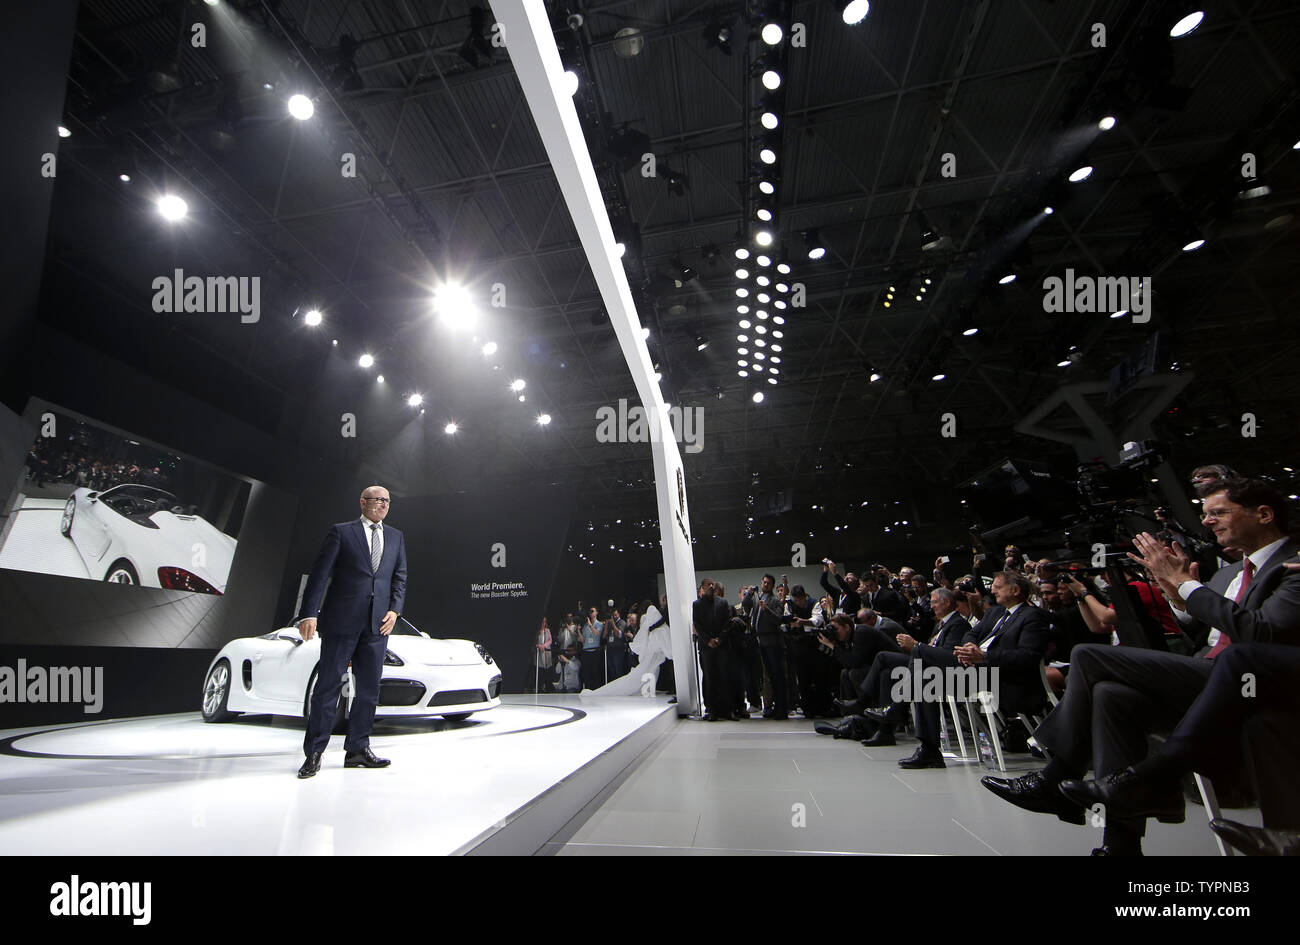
column 276, row 675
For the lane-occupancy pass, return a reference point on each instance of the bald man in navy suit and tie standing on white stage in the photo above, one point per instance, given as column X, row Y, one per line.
column 365, row 563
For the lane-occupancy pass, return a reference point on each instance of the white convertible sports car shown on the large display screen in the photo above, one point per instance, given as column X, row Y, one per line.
column 140, row 535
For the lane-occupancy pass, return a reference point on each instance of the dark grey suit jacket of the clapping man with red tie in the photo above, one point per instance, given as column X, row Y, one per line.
column 1268, row 614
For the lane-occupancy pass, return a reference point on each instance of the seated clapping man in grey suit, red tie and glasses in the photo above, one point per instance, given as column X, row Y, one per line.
column 1117, row 695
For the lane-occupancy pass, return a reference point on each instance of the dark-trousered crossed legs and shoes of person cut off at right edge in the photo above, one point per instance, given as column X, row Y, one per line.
column 1227, row 725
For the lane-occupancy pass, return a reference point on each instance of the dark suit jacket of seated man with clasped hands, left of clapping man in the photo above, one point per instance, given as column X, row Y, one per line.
column 1017, row 652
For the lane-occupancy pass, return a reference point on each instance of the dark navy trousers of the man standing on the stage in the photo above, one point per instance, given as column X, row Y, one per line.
column 366, row 652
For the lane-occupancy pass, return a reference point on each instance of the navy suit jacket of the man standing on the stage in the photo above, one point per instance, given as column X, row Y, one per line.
column 358, row 599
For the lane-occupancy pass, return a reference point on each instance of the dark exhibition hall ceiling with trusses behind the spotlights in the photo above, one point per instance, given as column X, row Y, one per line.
column 453, row 184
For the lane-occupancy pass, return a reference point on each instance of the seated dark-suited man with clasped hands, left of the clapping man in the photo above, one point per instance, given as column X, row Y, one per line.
column 1013, row 639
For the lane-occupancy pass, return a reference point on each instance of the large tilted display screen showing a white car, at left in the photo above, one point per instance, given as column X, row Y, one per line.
column 106, row 506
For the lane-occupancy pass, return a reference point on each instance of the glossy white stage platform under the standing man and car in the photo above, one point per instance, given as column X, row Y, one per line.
column 504, row 782
